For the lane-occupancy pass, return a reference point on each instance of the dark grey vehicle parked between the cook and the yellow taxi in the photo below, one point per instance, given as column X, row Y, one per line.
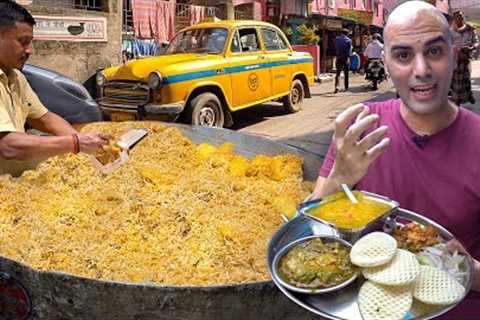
column 63, row 96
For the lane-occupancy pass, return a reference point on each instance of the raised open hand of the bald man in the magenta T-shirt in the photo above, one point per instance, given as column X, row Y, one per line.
column 355, row 153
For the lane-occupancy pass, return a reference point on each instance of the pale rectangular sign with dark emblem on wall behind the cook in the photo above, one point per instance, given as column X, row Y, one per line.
column 59, row 28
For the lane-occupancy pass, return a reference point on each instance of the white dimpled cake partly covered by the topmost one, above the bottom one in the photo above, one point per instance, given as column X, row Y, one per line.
column 402, row 270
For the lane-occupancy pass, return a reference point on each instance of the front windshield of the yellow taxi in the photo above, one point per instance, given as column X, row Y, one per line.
column 207, row 40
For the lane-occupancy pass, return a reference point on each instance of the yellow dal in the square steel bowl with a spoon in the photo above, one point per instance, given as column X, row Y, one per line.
column 341, row 212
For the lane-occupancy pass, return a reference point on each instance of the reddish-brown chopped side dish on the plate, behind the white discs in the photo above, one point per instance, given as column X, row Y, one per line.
column 414, row 236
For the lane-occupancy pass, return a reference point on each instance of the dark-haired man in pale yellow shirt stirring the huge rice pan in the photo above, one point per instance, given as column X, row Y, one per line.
column 19, row 104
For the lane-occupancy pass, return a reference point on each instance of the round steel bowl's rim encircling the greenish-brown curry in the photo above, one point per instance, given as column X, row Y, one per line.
column 276, row 261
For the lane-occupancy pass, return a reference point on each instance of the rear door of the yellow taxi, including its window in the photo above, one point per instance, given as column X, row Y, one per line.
column 278, row 54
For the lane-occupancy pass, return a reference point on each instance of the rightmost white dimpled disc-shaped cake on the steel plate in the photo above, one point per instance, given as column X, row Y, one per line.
column 437, row 287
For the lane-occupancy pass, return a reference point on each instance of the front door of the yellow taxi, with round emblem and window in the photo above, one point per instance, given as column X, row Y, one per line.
column 248, row 68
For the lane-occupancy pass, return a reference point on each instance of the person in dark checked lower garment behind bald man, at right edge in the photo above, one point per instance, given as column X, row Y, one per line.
column 466, row 42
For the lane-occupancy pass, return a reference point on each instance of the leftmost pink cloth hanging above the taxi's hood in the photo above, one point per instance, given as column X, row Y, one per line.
column 142, row 12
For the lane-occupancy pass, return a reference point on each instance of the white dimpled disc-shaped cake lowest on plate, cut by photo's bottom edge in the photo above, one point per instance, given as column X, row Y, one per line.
column 378, row 302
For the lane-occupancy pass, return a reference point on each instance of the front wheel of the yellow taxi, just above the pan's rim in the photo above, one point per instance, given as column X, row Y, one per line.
column 206, row 110
